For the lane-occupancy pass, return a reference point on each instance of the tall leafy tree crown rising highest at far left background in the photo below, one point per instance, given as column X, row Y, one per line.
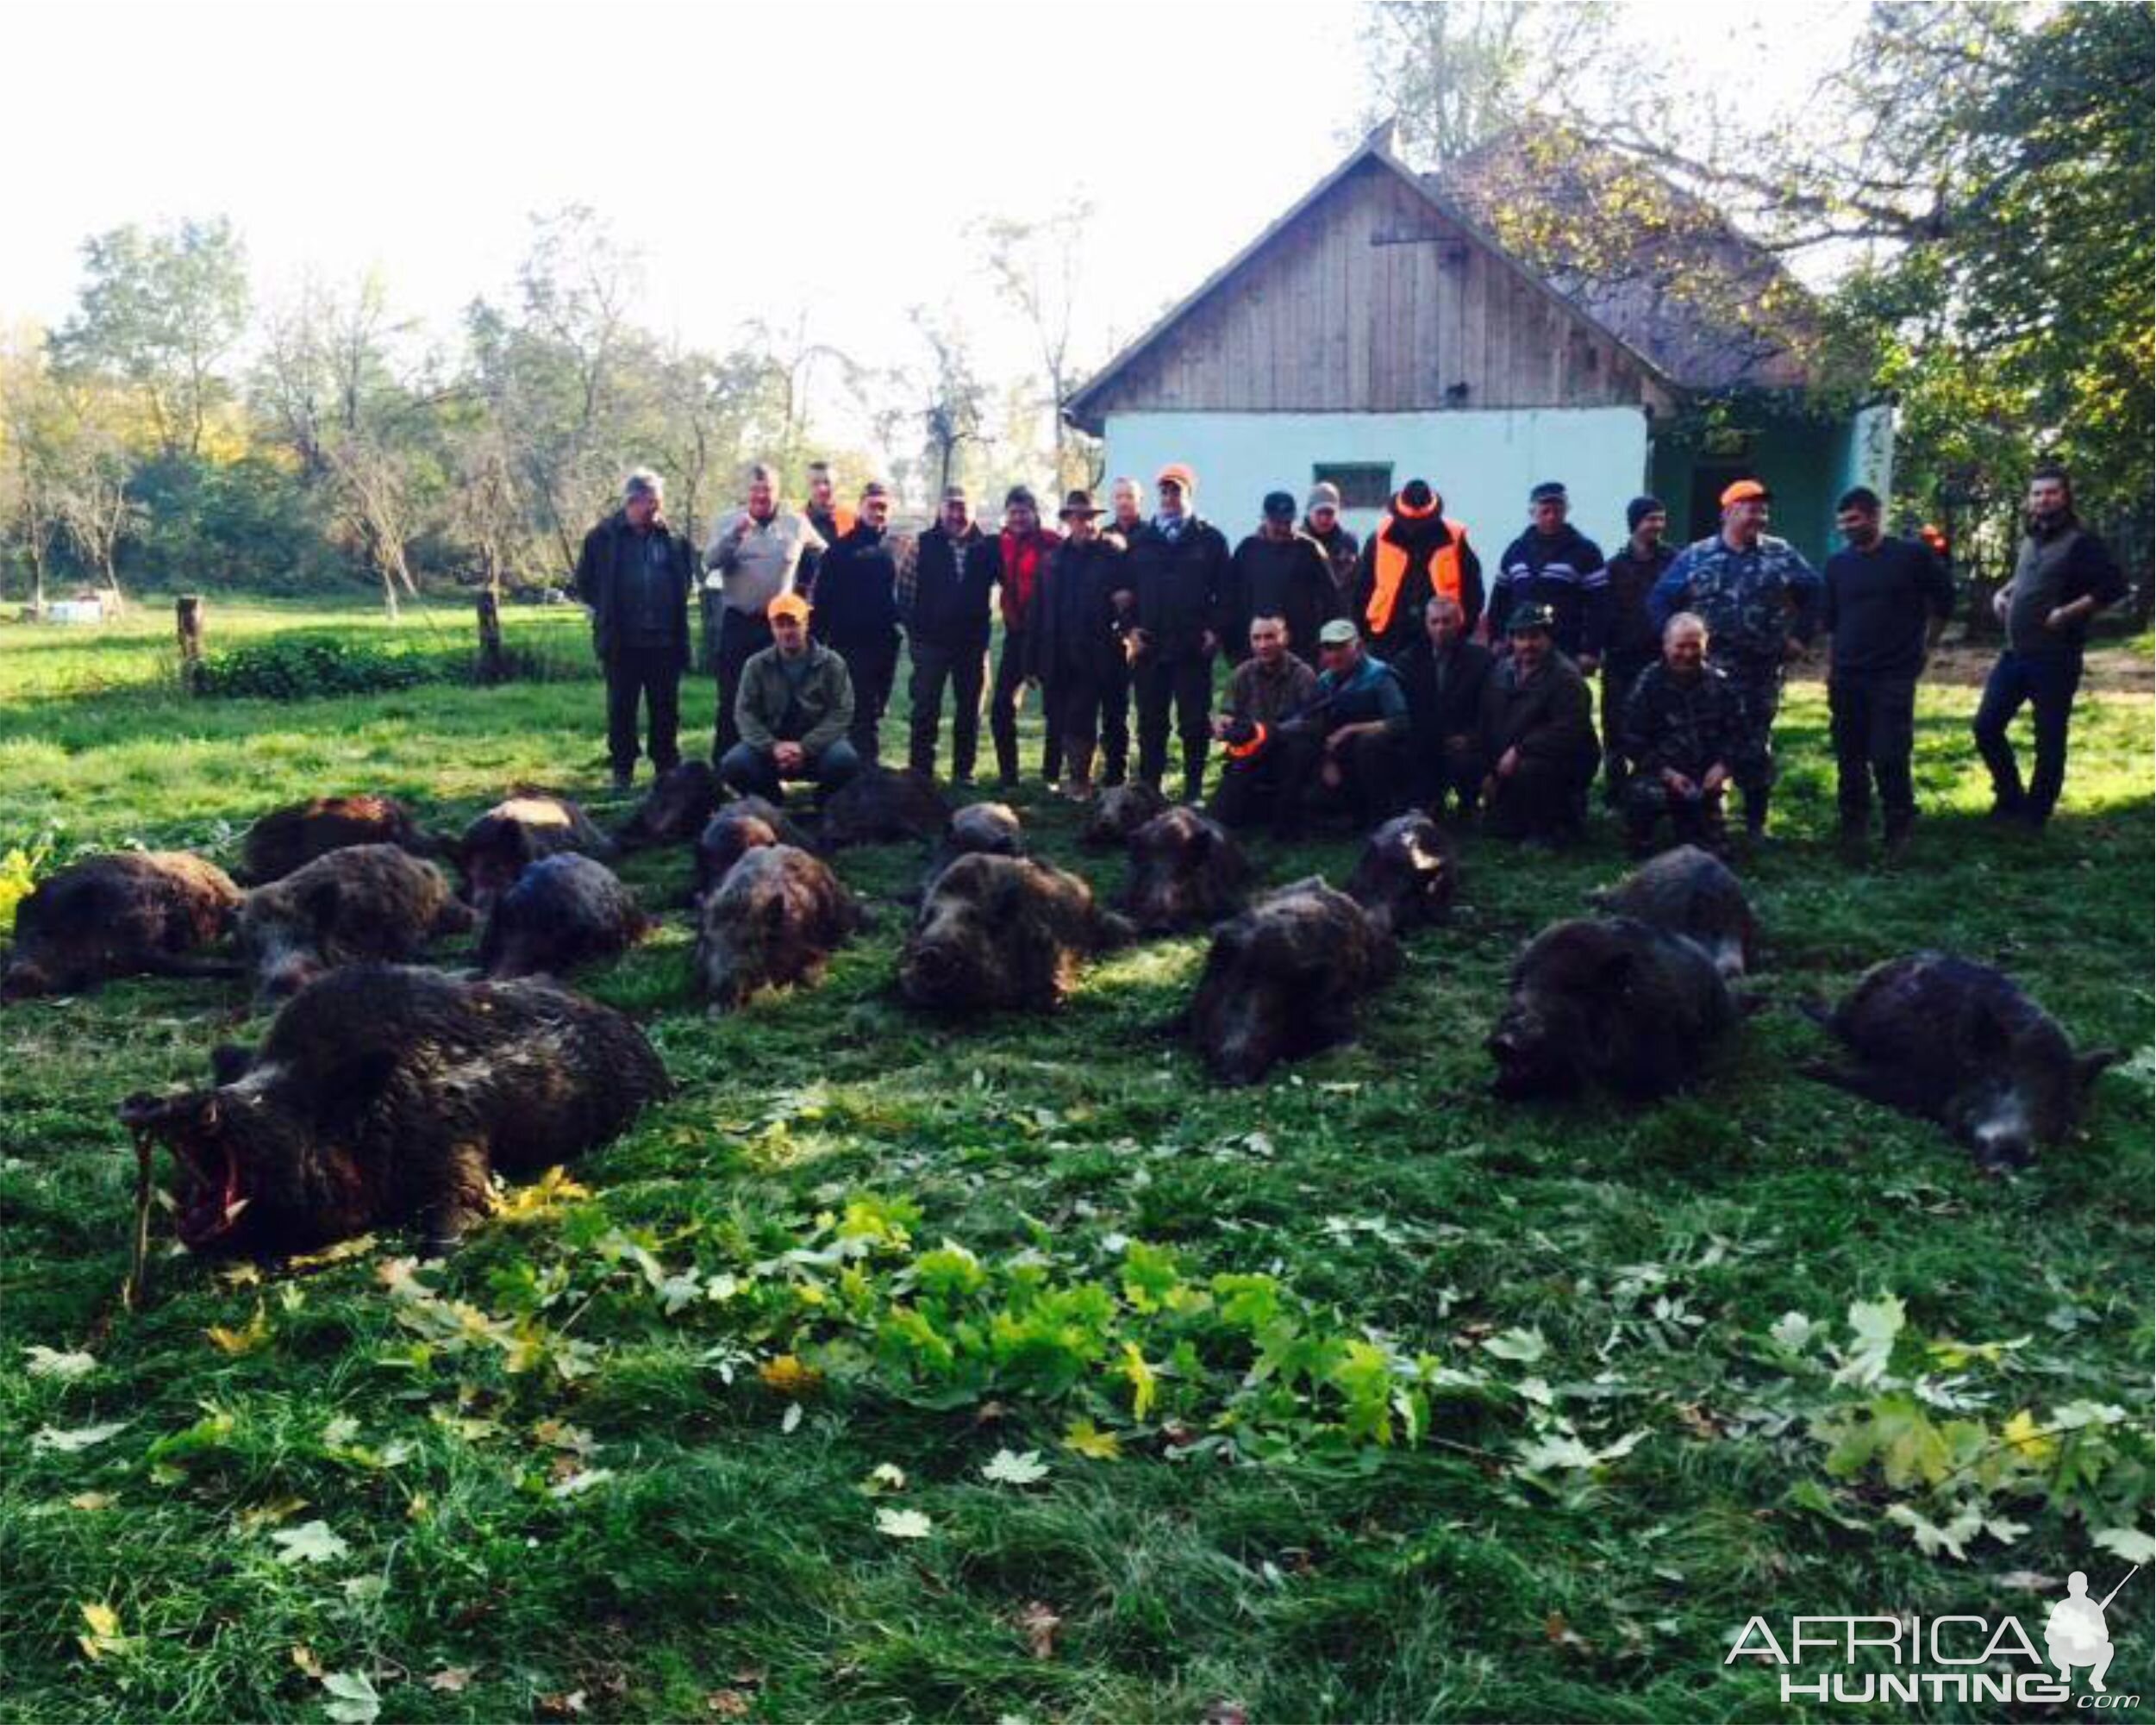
column 158, row 314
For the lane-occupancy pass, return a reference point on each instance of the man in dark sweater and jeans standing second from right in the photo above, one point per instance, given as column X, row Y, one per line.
column 1885, row 605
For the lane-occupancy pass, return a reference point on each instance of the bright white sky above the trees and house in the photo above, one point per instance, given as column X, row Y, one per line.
column 764, row 161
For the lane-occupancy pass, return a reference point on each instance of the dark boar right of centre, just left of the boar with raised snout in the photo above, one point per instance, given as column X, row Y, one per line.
column 1284, row 980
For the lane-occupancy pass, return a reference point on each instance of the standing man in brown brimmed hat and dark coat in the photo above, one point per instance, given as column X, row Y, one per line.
column 1081, row 646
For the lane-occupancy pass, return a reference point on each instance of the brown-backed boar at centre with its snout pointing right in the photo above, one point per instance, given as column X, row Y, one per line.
column 1004, row 935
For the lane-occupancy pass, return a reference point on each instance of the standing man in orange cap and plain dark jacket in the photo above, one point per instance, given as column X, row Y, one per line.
column 1180, row 572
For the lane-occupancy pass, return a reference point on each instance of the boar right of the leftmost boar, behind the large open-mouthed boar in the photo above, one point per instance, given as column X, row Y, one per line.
column 357, row 905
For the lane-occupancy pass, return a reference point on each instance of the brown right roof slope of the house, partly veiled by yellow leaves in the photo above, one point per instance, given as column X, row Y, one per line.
column 1709, row 307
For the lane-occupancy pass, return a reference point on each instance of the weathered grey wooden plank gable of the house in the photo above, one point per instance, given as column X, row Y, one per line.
column 1377, row 303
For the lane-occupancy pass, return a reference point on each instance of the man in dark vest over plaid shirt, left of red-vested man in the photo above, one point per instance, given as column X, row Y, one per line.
column 943, row 603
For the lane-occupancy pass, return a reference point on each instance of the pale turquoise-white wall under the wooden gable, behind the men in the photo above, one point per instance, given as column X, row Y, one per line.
column 1482, row 463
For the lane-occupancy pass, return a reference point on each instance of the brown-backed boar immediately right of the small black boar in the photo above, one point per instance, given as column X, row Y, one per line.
column 773, row 922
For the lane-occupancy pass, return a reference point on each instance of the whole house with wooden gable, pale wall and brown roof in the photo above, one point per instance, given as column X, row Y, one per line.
column 1381, row 331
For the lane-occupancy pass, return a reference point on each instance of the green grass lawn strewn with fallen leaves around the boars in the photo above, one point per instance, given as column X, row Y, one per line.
column 1353, row 1396
